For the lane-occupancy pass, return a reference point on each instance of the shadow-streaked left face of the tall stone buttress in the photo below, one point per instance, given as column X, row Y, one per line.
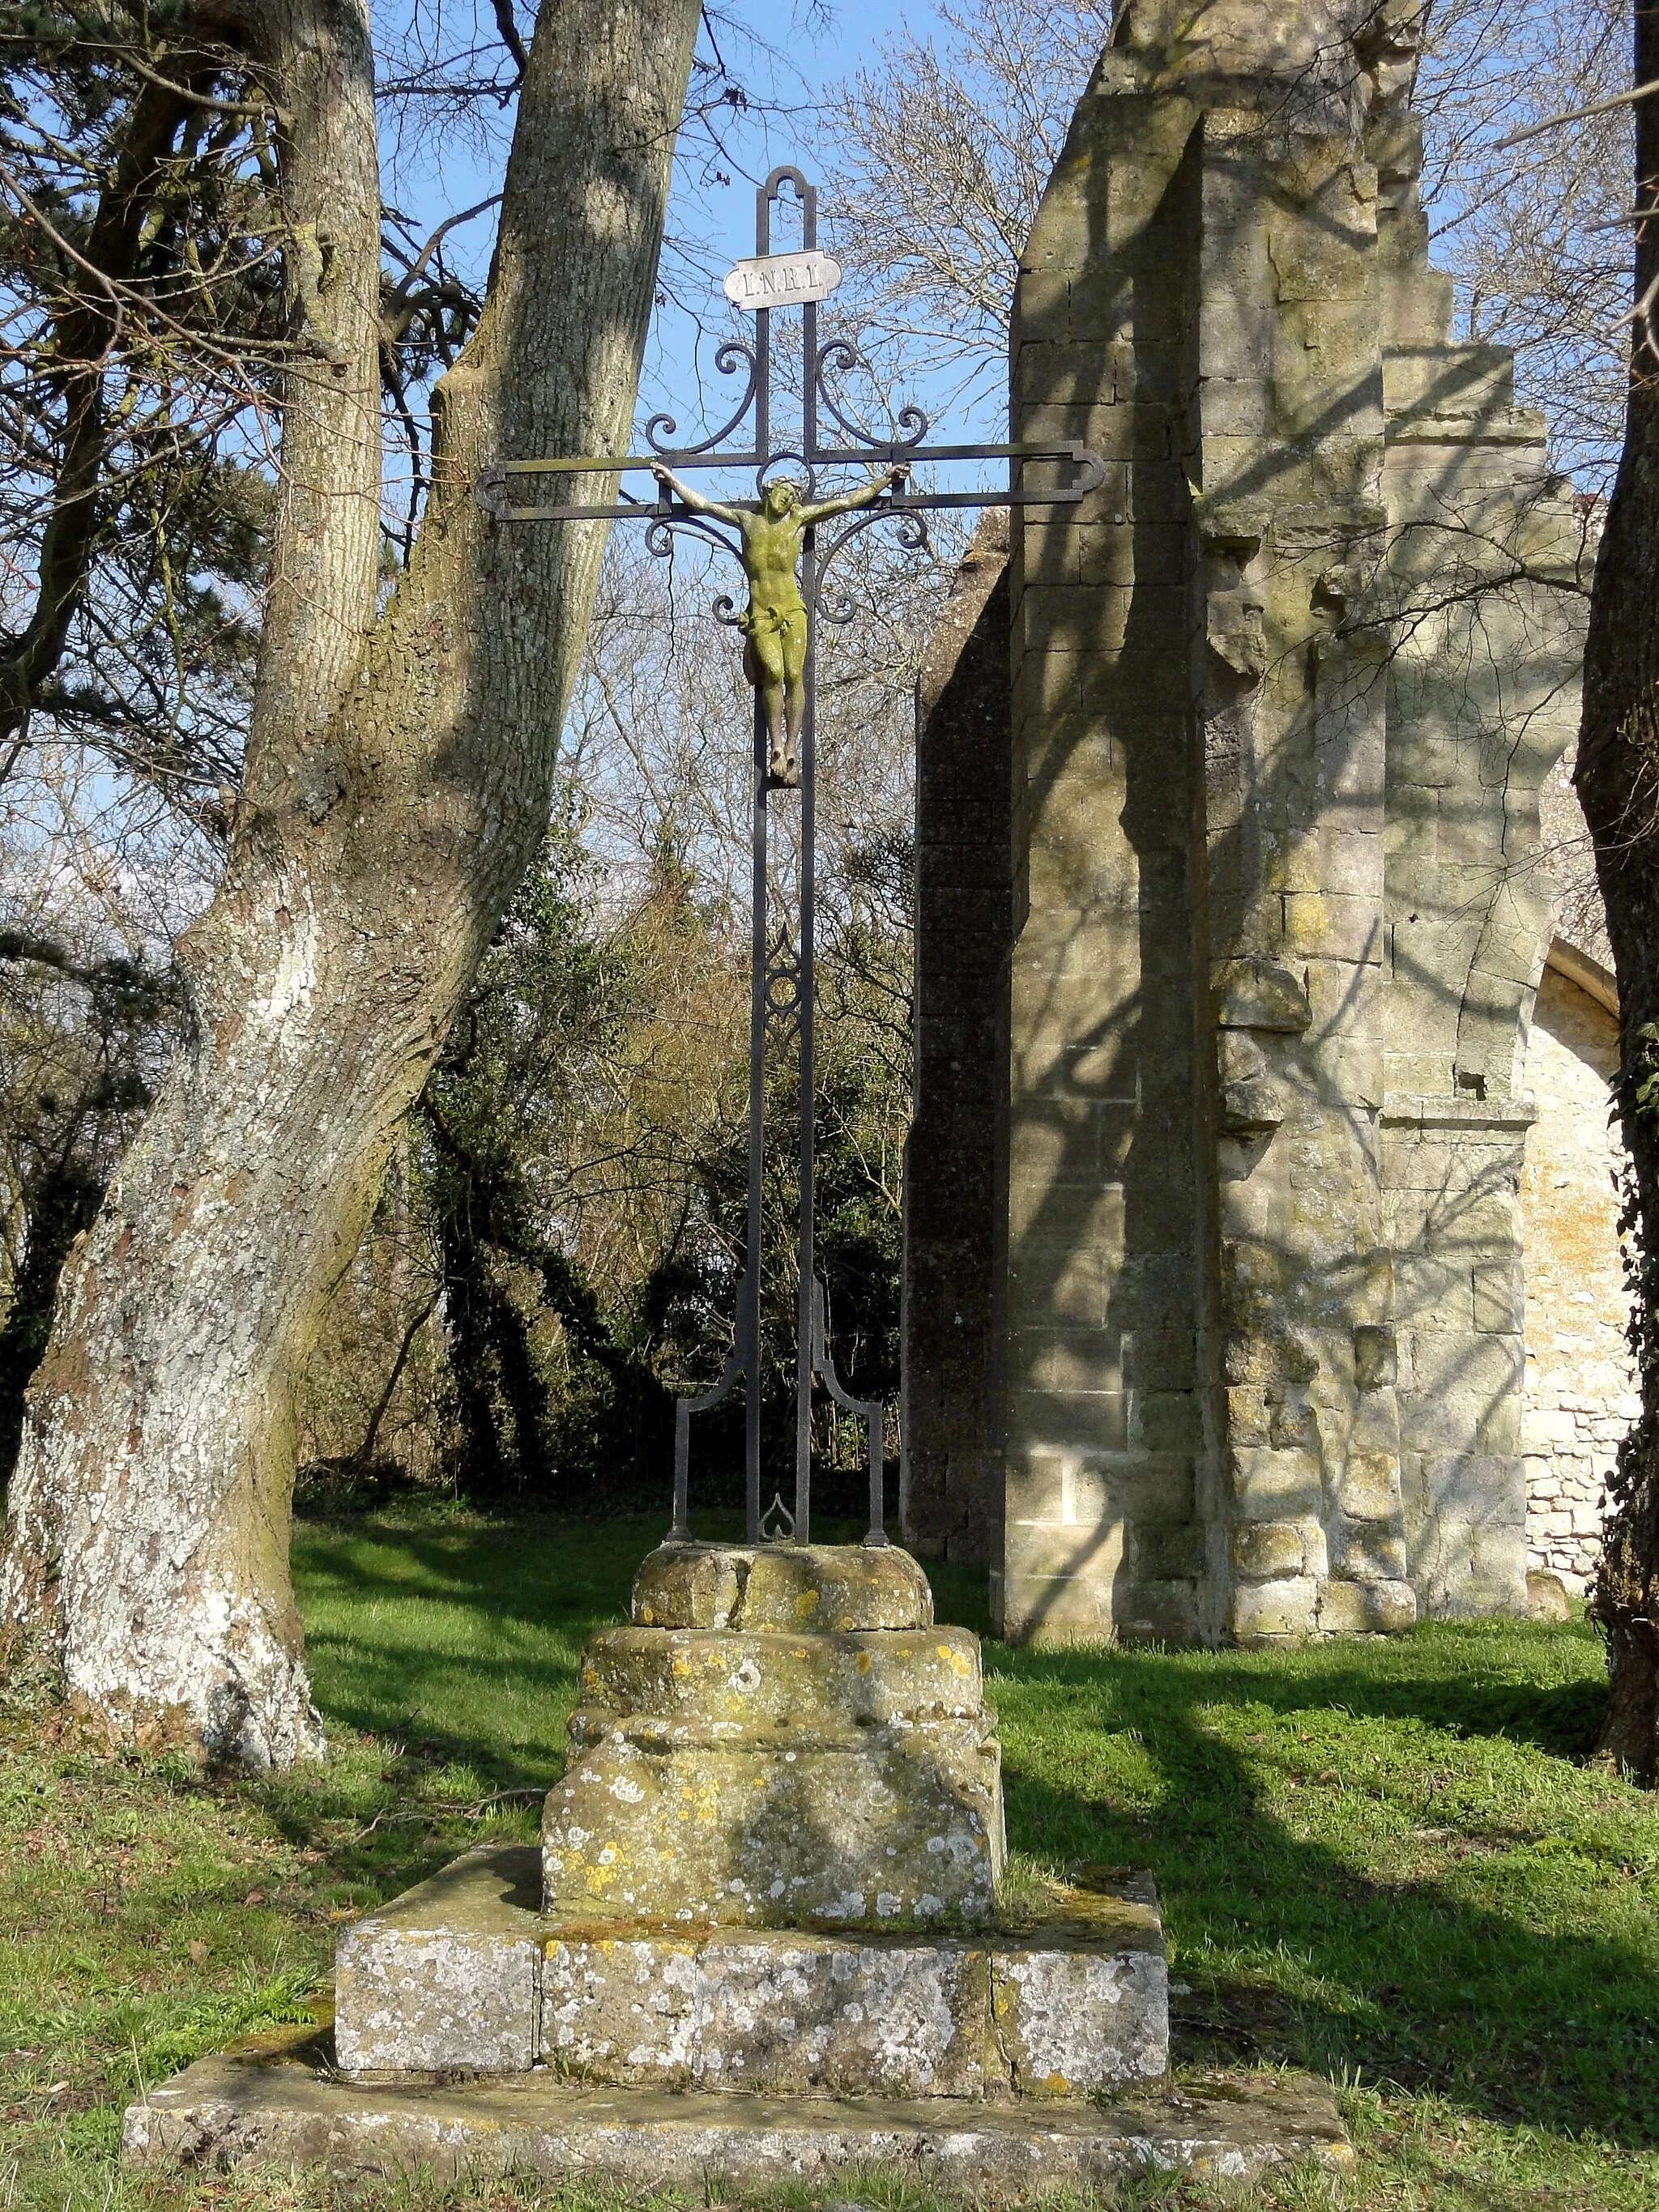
column 1103, row 1423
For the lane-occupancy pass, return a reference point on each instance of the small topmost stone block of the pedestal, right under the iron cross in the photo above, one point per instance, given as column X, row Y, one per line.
column 782, row 1587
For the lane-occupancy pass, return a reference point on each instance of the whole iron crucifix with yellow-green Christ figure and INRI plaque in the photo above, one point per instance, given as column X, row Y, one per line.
column 778, row 541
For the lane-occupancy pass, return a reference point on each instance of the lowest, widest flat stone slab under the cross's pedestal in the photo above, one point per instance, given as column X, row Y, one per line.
column 278, row 2105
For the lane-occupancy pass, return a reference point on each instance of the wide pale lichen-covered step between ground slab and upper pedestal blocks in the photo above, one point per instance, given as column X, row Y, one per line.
column 468, row 1974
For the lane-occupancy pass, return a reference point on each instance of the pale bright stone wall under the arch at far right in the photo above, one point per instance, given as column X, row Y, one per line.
column 1580, row 1395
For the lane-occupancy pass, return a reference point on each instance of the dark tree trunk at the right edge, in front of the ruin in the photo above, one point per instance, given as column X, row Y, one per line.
column 1618, row 780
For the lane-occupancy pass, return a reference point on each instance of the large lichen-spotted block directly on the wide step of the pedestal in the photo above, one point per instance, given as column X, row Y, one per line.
column 884, row 1828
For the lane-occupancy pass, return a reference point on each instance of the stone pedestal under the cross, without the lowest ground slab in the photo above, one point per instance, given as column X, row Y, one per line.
column 773, row 1866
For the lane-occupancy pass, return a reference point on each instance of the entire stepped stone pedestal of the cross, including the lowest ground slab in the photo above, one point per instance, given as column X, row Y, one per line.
column 762, row 1934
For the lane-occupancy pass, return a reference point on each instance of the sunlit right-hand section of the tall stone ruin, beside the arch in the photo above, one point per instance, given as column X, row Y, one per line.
column 1483, row 698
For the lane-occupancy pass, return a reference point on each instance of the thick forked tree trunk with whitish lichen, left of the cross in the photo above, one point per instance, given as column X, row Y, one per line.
column 397, row 786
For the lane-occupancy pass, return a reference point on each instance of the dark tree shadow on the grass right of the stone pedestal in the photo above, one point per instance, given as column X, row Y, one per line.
column 1512, row 2016
